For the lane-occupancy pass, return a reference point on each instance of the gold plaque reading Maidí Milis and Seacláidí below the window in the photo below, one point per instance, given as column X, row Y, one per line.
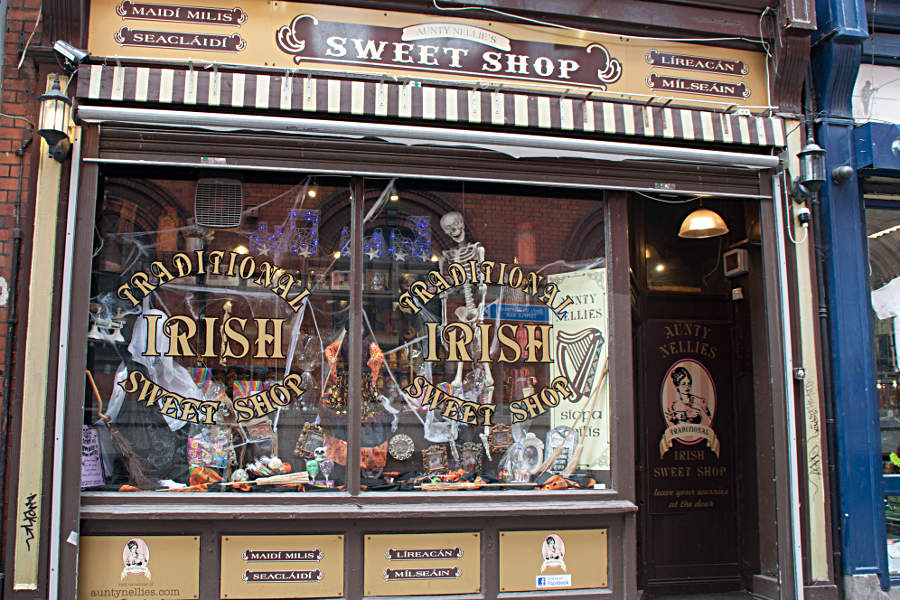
column 282, row 566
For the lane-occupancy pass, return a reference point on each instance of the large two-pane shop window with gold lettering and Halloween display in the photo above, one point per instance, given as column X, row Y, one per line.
column 219, row 343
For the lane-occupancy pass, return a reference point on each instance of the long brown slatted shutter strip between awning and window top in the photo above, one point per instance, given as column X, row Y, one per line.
column 370, row 157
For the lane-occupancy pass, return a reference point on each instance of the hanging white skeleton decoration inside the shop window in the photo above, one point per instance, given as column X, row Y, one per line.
column 472, row 312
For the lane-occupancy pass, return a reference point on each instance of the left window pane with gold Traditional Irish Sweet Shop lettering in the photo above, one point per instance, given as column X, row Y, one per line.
column 214, row 338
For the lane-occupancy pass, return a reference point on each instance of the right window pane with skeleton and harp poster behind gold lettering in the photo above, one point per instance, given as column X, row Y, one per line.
column 494, row 333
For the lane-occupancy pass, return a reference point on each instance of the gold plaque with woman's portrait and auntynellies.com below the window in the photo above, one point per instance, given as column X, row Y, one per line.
column 139, row 567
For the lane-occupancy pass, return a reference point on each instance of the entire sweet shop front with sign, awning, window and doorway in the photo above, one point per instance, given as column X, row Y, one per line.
column 360, row 303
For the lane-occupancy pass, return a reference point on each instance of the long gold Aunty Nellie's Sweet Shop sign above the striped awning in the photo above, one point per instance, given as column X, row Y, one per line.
column 434, row 47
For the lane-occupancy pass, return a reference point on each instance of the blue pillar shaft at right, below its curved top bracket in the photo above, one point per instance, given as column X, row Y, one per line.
column 858, row 452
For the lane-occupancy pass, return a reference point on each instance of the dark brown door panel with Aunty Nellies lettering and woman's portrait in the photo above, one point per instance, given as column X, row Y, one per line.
column 687, row 415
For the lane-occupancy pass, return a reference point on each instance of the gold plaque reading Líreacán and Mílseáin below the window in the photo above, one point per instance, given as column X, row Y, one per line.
column 422, row 564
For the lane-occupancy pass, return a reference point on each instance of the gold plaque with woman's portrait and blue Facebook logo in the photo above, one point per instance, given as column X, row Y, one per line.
column 553, row 559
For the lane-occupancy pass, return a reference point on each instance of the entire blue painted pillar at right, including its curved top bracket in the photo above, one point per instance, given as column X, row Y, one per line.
column 836, row 56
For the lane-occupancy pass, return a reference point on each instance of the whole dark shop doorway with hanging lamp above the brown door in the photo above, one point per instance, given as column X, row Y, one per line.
column 696, row 470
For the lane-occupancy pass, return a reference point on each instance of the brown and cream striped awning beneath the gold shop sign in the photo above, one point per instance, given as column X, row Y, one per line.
column 412, row 100
